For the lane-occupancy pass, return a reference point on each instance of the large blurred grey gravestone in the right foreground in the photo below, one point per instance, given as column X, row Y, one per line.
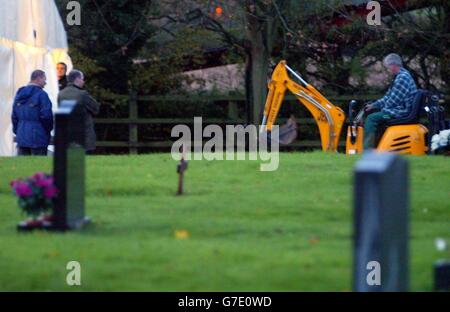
column 381, row 212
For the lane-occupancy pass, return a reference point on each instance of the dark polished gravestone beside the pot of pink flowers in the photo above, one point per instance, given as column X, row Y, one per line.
column 69, row 167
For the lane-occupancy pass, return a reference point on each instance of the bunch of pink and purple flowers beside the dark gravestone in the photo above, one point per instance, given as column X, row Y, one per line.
column 35, row 194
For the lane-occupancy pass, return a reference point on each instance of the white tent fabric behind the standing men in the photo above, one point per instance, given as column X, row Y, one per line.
column 32, row 36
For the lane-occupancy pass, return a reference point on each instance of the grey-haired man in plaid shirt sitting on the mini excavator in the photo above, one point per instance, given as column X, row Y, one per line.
column 397, row 102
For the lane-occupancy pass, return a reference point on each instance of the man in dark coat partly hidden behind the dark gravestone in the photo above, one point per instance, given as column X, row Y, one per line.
column 74, row 91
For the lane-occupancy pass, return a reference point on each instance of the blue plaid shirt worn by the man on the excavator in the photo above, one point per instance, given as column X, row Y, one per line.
column 398, row 101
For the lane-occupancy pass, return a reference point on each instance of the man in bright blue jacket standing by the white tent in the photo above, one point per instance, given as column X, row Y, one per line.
column 32, row 116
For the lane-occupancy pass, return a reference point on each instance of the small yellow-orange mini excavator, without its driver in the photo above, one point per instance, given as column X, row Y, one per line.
column 404, row 135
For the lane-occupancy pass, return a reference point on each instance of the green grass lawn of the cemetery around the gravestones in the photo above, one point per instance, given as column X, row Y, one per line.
column 247, row 230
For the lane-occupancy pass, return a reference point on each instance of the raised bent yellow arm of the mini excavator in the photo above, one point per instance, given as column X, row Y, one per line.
column 328, row 117
